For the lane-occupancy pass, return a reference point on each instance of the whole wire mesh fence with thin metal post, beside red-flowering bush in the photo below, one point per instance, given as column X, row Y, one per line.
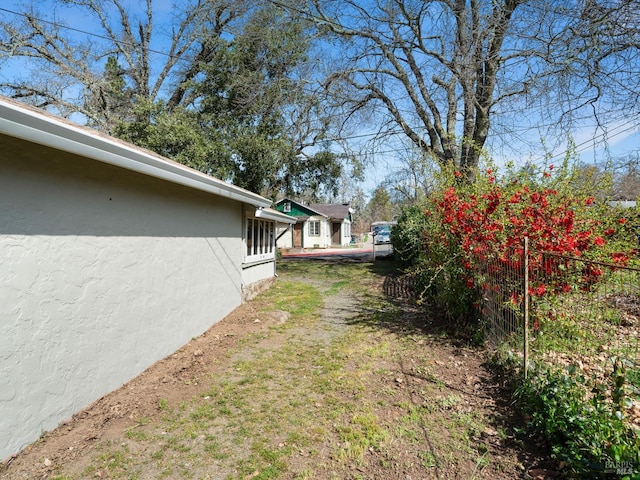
column 570, row 313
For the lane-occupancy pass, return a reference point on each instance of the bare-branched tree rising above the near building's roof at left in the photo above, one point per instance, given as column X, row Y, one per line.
column 101, row 75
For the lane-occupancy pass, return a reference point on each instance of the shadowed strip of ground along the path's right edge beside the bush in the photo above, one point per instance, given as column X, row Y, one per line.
column 461, row 367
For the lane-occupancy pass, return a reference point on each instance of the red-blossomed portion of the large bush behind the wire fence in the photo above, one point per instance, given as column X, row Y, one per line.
column 489, row 220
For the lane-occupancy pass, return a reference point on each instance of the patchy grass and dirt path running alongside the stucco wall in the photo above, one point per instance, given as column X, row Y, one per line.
column 321, row 377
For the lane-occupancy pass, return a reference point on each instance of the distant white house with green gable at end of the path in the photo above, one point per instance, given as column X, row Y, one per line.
column 319, row 225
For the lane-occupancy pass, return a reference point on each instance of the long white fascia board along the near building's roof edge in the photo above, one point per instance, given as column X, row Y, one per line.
column 44, row 129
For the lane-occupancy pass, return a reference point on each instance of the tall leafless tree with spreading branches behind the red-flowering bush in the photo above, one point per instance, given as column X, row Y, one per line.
column 449, row 73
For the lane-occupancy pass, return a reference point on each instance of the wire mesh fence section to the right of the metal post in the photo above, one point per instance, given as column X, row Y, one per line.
column 589, row 320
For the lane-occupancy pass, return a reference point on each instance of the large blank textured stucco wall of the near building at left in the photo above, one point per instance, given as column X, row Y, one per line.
column 102, row 273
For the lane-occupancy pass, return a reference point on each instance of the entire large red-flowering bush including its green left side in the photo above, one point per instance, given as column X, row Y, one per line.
column 467, row 240
